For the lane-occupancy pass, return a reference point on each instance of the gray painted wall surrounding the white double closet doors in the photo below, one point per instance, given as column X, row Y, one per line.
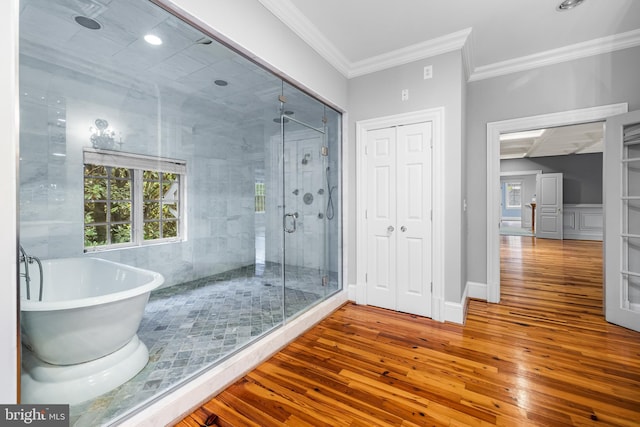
column 378, row 95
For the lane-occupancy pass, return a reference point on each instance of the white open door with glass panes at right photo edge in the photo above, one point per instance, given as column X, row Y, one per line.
column 622, row 220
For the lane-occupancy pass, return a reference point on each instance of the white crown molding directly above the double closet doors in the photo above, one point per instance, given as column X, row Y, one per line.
column 448, row 43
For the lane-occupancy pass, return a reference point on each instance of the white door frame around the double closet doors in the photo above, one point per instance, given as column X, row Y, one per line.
column 436, row 116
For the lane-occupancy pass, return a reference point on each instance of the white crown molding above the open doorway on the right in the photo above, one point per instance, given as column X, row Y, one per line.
column 555, row 56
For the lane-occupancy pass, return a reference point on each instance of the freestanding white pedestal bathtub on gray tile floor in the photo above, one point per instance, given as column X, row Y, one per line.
column 80, row 341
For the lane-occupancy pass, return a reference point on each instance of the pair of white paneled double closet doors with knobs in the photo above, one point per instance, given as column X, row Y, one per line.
column 399, row 218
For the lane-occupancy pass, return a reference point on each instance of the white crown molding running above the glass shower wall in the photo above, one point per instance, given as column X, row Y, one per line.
column 286, row 12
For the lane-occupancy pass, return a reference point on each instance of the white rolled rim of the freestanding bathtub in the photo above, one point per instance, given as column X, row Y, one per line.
column 156, row 280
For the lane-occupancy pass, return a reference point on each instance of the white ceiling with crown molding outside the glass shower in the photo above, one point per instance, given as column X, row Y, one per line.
column 358, row 36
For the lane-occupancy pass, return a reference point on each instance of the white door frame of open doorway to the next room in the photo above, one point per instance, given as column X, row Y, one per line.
column 494, row 129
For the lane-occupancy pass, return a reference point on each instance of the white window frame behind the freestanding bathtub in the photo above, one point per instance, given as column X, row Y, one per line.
column 138, row 163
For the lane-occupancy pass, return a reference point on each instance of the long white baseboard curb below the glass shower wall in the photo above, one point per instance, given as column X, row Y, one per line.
column 176, row 405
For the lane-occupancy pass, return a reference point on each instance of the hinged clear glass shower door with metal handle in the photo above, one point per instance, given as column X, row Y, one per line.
column 304, row 215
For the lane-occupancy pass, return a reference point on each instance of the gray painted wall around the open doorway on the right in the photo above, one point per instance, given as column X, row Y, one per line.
column 598, row 80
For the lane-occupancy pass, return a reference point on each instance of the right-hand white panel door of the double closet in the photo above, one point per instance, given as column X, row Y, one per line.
column 414, row 219
